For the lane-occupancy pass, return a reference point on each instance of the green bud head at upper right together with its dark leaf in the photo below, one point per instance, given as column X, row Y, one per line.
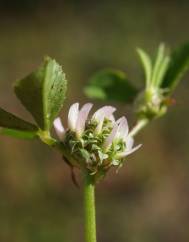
column 162, row 75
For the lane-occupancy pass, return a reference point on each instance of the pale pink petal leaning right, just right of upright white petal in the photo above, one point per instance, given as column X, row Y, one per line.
column 82, row 117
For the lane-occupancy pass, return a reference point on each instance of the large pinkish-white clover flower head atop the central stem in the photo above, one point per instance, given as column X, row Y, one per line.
column 95, row 143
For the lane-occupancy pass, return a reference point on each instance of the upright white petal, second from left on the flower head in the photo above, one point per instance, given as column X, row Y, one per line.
column 73, row 116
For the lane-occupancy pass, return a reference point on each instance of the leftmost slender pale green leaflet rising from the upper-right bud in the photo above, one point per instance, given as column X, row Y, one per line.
column 147, row 65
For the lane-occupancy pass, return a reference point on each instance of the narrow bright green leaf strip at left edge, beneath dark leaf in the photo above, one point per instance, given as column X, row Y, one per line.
column 18, row 133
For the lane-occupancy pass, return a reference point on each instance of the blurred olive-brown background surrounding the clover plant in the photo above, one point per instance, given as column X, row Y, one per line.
column 148, row 201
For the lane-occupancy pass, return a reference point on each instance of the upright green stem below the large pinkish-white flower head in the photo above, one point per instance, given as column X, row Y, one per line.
column 89, row 207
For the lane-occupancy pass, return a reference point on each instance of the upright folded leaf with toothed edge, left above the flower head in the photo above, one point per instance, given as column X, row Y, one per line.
column 43, row 92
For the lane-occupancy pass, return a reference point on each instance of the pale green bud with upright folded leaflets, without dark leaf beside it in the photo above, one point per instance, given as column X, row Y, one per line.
column 152, row 102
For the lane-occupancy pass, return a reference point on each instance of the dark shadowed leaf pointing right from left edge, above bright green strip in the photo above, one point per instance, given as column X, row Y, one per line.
column 10, row 121
